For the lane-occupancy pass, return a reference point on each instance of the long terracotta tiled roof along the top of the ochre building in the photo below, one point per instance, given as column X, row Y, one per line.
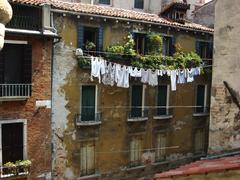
column 113, row 12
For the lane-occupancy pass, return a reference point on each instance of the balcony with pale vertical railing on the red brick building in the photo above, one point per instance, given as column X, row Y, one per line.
column 18, row 92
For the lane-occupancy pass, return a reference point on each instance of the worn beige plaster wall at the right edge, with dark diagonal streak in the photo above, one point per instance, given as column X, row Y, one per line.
column 224, row 124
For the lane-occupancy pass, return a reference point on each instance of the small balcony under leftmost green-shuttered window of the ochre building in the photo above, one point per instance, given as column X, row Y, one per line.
column 88, row 119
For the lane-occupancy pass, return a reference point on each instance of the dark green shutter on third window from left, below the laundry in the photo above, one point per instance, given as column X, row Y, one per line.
column 162, row 100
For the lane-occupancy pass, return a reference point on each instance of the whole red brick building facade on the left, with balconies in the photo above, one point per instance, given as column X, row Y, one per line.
column 25, row 93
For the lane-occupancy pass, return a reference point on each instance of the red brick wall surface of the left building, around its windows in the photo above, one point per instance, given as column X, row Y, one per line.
column 38, row 118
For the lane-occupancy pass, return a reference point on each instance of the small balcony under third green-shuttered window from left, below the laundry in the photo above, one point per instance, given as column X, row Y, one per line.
column 162, row 113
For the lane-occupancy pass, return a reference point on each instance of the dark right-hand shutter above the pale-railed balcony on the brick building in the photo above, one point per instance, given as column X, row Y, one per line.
column 27, row 64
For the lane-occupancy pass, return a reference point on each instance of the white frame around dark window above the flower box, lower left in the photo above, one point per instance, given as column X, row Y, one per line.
column 24, row 121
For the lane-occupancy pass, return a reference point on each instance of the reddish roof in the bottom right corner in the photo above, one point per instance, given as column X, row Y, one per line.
column 203, row 167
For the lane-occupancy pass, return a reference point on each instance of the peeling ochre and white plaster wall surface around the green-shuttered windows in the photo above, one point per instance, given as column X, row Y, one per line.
column 113, row 135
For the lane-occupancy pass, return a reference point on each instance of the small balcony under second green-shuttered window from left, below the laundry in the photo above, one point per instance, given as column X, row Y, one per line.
column 137, row 114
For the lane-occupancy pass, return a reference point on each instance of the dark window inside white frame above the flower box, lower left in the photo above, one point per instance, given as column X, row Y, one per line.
column 12, row 143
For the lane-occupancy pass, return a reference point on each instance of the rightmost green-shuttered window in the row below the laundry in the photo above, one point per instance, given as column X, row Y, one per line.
column 201, row 99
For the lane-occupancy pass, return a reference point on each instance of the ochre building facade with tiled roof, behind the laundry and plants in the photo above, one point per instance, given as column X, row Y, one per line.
column 114, row 144
